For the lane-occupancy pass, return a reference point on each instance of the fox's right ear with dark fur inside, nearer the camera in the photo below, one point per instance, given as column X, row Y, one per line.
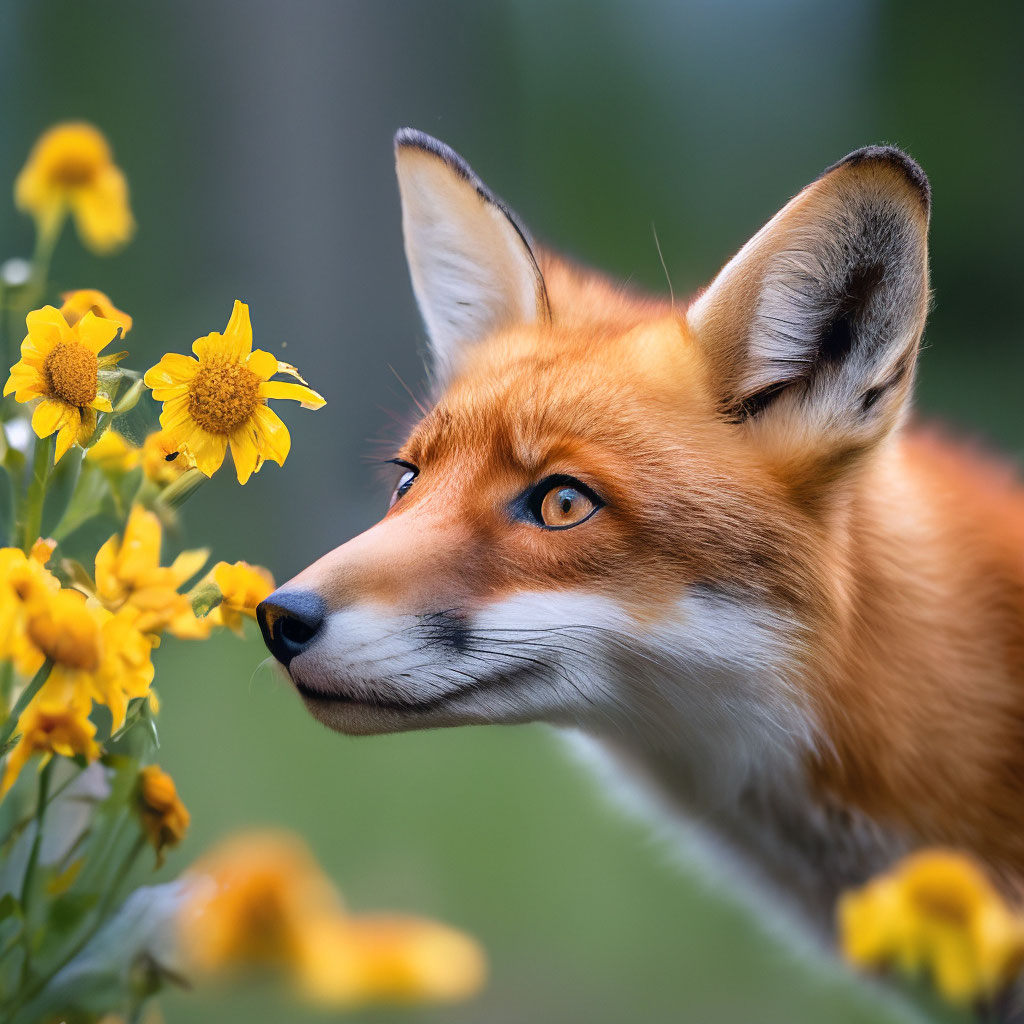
column 813, row 329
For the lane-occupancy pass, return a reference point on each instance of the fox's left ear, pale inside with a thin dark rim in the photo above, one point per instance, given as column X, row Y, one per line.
column 474, row 271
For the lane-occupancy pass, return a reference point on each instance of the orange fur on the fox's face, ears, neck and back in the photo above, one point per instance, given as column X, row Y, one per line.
column 900, row 556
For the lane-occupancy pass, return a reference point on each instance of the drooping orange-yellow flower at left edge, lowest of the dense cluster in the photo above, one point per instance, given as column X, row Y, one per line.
column 56, row 722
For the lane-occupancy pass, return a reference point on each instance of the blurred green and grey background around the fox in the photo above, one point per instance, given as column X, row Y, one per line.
column 258, row 140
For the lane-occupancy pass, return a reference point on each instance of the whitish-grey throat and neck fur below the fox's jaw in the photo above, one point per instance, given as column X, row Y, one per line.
column 727, row 740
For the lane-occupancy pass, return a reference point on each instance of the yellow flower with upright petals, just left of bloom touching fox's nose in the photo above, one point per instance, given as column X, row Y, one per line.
column 130, row 574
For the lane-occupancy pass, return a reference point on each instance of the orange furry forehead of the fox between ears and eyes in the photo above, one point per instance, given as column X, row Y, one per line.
column 533, row 395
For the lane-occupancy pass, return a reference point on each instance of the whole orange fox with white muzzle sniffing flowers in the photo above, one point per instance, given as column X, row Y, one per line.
column 708, row 540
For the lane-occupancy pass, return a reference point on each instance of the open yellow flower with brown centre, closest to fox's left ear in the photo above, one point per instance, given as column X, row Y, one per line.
column 222, row 399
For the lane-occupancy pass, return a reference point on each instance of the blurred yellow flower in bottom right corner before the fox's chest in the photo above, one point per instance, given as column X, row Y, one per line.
column 936, row 913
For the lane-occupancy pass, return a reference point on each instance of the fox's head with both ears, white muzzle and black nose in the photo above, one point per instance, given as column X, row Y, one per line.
column 617, row 514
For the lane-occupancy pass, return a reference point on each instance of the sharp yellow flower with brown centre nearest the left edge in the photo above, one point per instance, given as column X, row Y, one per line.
column 61, row 365
